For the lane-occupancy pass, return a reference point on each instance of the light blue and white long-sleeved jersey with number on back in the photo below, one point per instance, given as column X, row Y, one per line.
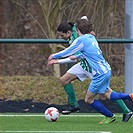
column 88, row 46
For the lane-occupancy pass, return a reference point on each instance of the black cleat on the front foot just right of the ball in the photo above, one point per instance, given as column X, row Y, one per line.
column 70, row 110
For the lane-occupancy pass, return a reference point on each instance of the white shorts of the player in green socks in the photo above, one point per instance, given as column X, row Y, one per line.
column 80, row 72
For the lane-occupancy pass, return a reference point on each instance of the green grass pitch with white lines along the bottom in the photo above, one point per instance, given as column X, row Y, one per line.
column 75, row 123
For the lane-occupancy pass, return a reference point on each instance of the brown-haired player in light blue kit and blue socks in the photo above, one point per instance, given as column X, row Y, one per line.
column 89, row 48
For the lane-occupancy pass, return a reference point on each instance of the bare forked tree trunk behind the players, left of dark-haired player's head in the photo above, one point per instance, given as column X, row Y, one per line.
column 51, row 11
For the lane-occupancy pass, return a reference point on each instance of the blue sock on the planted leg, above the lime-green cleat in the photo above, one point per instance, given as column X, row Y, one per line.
column 97, row 105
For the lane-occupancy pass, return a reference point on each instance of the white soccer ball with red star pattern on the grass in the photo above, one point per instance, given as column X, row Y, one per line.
column 52, row 114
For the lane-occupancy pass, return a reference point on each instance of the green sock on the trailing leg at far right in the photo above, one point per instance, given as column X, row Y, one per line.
column 122, row 106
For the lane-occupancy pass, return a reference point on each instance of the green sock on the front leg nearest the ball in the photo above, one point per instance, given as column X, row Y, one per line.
column 70, row 94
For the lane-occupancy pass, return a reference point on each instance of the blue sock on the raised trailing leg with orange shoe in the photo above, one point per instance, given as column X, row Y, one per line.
column 117, row 96
